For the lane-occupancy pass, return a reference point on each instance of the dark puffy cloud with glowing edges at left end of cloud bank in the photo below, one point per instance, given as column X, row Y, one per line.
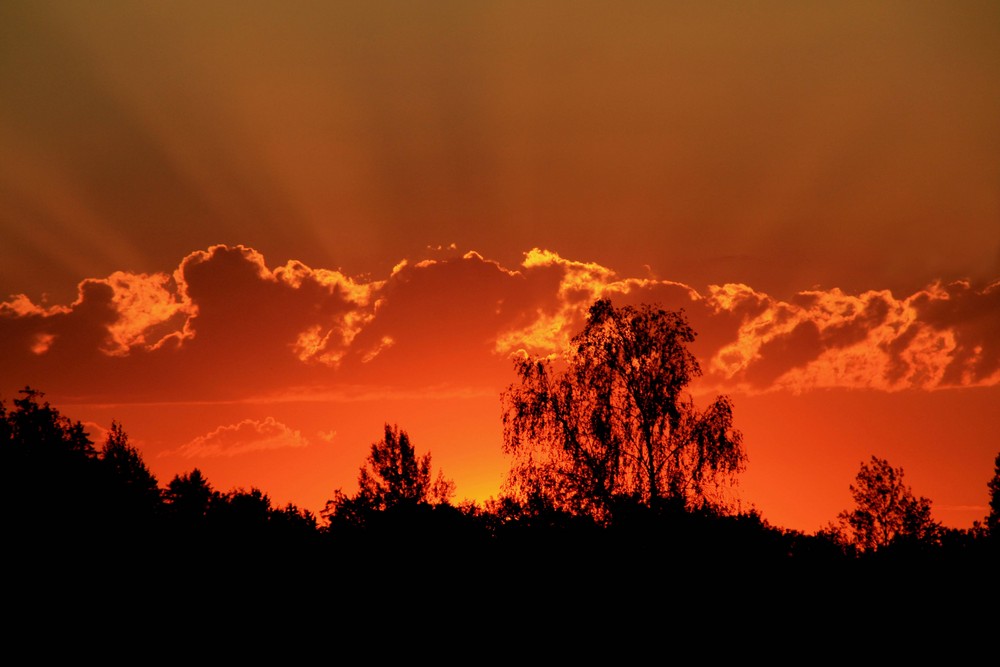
column 222, row 323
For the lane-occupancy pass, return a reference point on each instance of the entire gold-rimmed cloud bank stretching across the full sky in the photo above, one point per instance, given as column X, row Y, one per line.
column 226, row 326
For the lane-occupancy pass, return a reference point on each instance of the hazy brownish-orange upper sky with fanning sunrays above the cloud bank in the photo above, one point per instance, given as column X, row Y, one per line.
column 780, row 144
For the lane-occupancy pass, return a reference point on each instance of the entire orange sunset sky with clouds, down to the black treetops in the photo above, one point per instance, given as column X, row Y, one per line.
column 256, row 232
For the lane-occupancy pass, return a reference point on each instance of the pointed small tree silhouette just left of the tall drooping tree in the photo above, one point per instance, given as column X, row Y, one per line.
column 393, row 476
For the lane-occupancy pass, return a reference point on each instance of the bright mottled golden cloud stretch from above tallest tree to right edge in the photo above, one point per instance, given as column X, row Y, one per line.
column 942, row 336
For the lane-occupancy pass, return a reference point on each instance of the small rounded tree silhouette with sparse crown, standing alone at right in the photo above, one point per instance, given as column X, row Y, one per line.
column 886, row 512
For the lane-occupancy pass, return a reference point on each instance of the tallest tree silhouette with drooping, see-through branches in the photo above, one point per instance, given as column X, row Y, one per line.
column 615, row 421
